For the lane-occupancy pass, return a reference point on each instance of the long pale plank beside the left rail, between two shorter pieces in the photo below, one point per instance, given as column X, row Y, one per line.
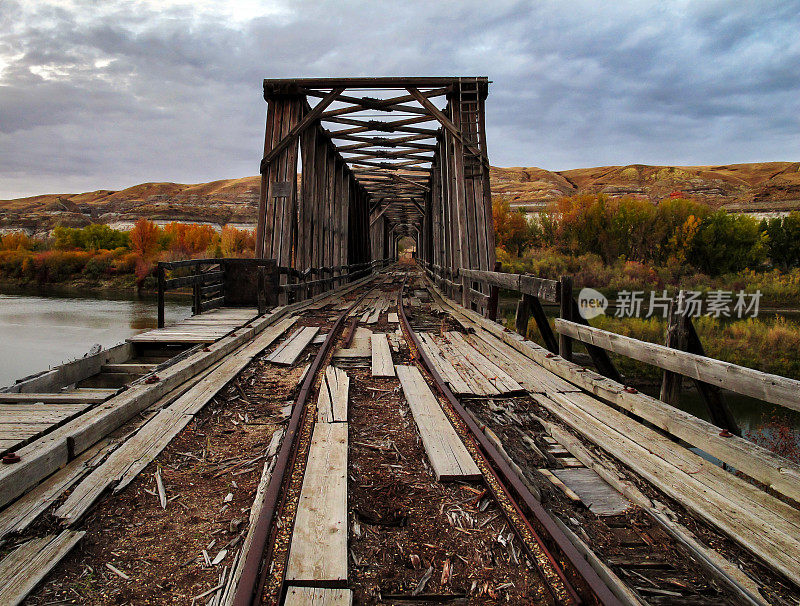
column 322, row 512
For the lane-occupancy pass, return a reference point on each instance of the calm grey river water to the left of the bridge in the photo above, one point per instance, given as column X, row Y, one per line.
column 43, row 328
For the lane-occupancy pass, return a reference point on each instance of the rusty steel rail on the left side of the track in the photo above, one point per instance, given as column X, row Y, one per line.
column 253, row 576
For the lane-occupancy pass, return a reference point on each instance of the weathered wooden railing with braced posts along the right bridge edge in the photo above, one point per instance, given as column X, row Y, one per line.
column 682, row 356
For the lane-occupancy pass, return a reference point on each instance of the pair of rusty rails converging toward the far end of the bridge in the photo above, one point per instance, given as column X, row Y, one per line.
column 263, row 578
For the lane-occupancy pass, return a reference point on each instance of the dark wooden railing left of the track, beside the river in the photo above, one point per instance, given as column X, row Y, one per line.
column 250, row 282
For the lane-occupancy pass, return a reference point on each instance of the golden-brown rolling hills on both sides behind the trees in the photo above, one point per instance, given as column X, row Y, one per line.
column 758, row 188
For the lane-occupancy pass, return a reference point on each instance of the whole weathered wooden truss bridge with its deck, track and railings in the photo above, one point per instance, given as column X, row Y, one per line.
column 332, row 426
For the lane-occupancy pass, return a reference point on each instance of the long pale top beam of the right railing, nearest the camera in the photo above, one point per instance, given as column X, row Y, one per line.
column 739, row 379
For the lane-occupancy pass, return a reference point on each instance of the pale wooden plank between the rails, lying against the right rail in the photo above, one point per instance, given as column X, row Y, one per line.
column 447, row 454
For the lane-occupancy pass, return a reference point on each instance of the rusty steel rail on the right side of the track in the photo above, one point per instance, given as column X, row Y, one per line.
column 508, row 478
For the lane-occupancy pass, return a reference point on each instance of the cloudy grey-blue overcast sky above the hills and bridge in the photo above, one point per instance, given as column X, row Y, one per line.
column 107, row 94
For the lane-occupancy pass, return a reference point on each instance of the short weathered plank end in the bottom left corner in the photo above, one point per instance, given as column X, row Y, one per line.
column 28, row 564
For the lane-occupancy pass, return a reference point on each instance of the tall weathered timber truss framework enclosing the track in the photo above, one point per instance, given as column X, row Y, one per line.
column 382, row 158
